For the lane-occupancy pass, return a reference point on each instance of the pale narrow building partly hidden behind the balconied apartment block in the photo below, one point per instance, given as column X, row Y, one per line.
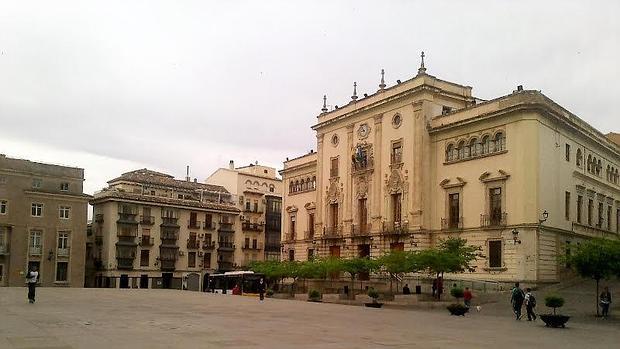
column 259, row 193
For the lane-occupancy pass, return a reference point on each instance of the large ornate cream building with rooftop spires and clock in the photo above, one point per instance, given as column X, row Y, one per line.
column 423, row 160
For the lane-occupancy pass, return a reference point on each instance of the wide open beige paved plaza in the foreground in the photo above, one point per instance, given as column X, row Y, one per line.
column 113, row 318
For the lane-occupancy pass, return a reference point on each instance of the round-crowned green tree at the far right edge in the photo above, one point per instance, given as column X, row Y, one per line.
column 596, row 259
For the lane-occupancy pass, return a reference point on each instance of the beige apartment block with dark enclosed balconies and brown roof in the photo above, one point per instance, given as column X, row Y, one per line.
column 154, row 231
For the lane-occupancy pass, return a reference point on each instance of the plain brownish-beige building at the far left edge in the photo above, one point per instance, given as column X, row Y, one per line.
column 43, row 214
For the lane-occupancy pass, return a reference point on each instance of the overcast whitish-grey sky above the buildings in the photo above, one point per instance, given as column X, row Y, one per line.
column 112, row 86
